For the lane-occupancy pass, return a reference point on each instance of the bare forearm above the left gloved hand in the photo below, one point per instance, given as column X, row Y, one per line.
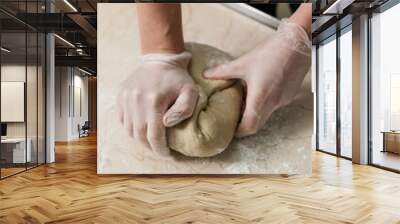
column 160, row 27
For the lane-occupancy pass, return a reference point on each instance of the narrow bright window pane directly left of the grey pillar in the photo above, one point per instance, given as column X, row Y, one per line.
column 345, row 94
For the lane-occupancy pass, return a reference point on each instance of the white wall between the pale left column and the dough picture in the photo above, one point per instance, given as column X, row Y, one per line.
column 67, row 116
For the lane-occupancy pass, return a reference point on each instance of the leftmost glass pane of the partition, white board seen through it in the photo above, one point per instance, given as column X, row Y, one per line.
column 13, row 89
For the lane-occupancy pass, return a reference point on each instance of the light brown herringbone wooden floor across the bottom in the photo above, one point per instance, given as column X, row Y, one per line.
column 70, row 191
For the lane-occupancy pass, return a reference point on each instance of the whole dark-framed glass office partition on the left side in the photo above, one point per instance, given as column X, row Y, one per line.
column 22, row 77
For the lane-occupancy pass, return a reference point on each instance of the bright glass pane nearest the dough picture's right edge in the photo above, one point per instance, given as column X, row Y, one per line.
column 327, row 97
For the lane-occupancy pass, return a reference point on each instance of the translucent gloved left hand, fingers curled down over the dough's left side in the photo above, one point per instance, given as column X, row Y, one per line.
column 159, row 93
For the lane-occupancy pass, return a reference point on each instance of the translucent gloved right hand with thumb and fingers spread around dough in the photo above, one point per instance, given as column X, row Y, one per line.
column 273, row 73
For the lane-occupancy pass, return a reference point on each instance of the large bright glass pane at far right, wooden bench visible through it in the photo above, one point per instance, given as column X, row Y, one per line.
column 385, row 84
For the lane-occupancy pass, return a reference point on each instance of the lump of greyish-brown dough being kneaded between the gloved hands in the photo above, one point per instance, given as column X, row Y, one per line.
column 212, row 125
